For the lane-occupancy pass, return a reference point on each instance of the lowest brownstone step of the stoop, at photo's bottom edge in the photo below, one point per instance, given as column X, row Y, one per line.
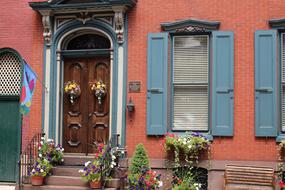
column 56, row 187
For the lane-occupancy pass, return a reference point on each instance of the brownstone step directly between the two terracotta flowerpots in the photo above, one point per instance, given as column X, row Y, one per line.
column 65, row 181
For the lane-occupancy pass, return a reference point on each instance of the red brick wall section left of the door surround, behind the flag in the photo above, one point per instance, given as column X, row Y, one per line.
column 21, row 29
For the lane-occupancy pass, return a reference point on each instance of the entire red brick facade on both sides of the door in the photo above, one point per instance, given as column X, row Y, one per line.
column 21, row 29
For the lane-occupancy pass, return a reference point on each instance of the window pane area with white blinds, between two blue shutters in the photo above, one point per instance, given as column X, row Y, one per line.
column 190, row 82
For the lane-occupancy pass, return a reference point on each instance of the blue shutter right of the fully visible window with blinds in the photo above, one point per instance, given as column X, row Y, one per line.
column 222, row 110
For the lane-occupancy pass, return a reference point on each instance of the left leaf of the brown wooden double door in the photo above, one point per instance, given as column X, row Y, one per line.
column 75, row 129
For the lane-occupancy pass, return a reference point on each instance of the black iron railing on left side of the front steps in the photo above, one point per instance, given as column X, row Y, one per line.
column 27, row 159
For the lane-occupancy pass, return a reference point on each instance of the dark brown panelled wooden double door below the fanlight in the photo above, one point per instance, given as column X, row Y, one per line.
column 86, row 121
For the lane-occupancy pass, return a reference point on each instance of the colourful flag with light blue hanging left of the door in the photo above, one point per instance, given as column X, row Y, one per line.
column 28, row 87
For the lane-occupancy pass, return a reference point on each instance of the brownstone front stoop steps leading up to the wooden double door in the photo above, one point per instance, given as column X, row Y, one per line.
column 67, row 176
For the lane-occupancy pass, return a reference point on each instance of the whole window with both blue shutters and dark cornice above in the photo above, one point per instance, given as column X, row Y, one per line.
column 187, row 77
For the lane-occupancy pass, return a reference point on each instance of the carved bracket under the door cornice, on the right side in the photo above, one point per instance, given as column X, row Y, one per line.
column 119, row 26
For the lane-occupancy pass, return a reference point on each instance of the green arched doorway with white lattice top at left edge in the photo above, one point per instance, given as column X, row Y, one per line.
column 10, row 124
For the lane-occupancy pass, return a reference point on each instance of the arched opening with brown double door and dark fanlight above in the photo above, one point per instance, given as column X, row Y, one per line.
column 86, row 116
